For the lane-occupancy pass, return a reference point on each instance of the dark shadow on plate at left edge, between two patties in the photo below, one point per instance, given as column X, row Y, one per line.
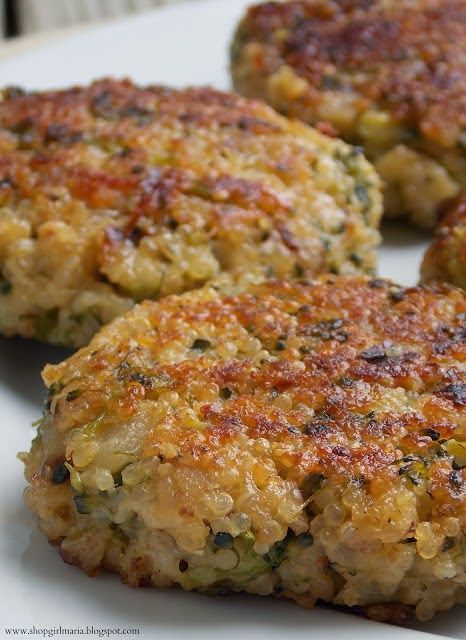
column 21, row 362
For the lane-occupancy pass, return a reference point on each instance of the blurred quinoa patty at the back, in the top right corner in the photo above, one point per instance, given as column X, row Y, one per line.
column 387, row 74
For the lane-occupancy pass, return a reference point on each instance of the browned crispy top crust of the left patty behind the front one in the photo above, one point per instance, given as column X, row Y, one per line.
column 51, row 125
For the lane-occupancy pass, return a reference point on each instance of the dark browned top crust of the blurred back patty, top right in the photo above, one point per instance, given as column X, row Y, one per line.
column 405, row 57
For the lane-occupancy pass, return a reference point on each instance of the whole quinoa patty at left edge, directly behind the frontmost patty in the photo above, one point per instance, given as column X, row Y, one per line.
column 113, row 193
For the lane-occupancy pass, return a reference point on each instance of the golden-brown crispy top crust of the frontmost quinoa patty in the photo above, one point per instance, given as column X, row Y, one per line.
column 336, row 345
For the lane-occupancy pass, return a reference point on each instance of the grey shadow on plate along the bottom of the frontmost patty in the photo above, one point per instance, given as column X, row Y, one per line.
column 104, row 598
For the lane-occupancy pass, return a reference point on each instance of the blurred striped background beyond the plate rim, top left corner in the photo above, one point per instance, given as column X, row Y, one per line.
column 21, row 17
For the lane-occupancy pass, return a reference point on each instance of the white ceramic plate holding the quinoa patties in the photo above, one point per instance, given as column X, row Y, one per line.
column 186, row 44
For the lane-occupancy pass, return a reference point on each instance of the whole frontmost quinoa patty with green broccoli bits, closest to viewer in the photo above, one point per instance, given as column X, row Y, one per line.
column 301, row 440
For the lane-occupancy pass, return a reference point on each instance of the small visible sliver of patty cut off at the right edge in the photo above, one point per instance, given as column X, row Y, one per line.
column 445, row 259
